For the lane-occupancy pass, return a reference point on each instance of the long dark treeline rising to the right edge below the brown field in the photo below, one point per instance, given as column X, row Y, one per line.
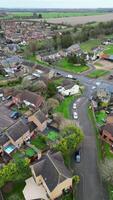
column 82, row 34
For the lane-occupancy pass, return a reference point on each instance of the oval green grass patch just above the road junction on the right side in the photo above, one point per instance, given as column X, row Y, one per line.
column 97, row 73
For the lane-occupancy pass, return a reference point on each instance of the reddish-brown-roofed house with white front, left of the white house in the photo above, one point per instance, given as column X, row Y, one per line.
column 29, row 99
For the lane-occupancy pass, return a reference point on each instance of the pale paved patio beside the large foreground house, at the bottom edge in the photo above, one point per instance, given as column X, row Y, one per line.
column 34, row 191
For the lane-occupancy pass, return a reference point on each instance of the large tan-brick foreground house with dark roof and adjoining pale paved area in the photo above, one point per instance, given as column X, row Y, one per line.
column 51, row 175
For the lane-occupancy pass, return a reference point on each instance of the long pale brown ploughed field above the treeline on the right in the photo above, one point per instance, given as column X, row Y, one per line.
column 82, row 19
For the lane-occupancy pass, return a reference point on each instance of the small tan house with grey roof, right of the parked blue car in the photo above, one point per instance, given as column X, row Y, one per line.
column 39, row 119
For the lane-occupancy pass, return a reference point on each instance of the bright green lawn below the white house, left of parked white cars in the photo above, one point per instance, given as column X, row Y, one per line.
column 64, row 106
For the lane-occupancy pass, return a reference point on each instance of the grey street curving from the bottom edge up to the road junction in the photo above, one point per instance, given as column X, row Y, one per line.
column 90, row 186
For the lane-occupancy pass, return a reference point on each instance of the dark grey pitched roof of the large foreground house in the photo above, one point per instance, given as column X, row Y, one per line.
column 52, row 169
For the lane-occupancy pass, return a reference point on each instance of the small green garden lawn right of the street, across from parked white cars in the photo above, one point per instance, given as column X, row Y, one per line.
column 101, row 117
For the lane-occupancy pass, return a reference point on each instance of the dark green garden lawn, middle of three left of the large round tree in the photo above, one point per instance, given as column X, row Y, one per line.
column 39, row 142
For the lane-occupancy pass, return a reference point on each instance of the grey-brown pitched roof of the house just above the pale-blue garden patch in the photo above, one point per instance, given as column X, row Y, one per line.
column 17, row 130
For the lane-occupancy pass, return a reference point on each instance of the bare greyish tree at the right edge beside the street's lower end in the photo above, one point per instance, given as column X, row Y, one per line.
column 106, row 169
